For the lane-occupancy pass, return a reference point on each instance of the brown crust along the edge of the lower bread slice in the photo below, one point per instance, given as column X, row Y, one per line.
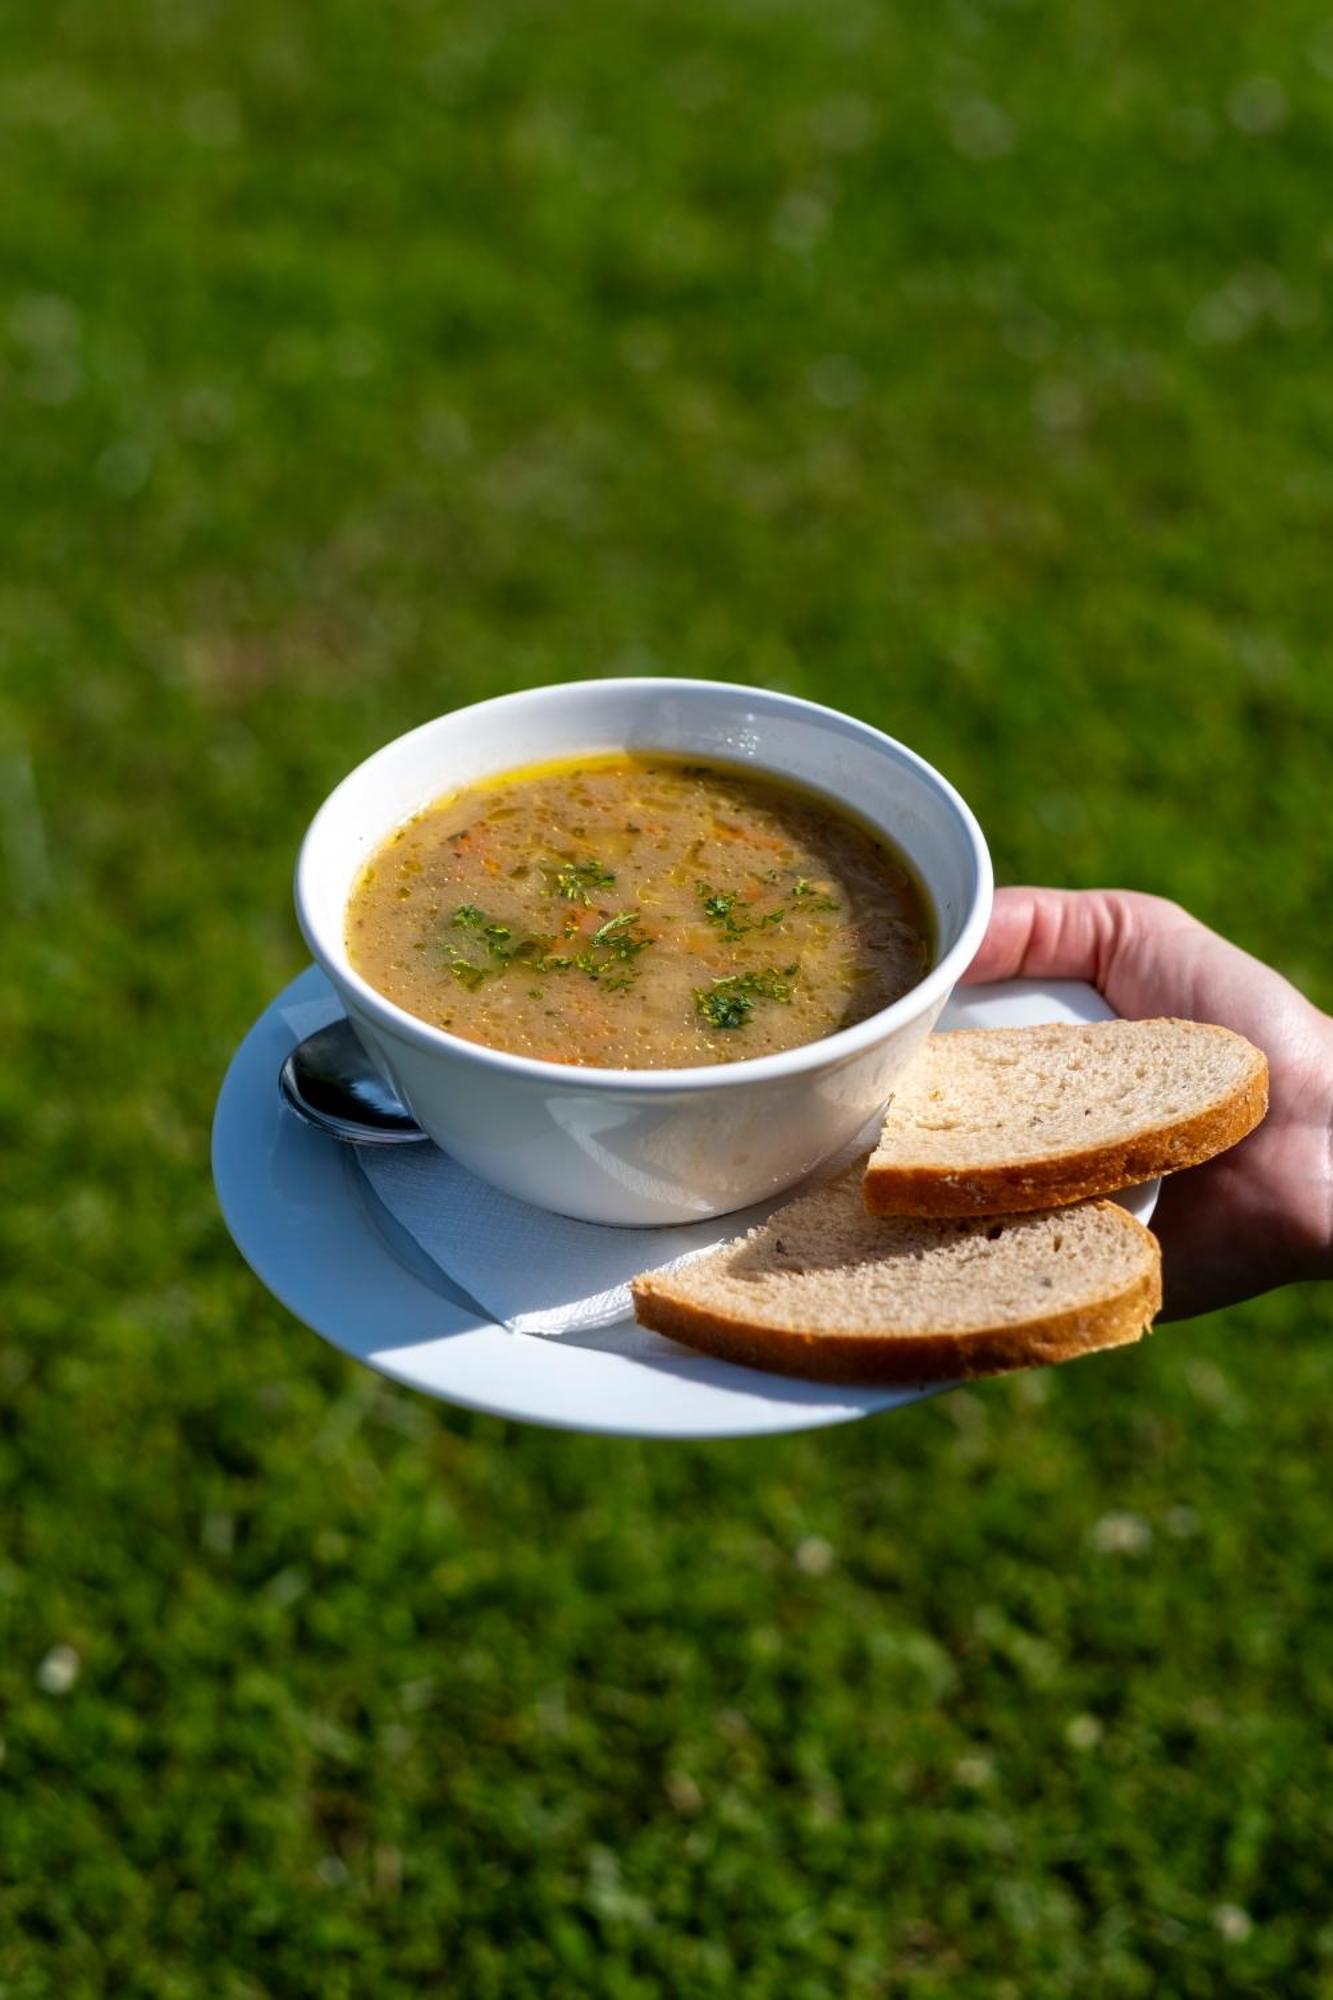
column 908, row 1361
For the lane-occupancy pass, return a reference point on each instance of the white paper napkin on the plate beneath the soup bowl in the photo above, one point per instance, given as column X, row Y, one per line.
column 533, row 1271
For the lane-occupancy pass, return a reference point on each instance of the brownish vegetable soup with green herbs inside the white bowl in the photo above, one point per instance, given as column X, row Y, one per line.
column 637, row 913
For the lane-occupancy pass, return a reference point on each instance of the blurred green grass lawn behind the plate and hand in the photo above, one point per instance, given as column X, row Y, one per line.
column 964, row 365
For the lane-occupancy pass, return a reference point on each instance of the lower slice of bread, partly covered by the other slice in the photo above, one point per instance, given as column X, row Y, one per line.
column 830, row 1293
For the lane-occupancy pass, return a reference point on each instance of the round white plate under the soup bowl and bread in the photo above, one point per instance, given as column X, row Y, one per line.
column 315, row 1235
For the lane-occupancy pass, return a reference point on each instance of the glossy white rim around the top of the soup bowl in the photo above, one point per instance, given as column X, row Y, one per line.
column 790, row 1063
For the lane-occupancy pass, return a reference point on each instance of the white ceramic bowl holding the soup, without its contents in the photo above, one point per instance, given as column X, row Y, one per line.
column 641, row 1147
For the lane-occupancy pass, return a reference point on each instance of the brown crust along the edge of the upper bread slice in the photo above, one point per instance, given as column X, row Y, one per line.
column 1072, row 1177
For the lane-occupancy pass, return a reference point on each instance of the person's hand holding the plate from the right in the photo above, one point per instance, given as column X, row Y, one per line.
column 1262, row 1215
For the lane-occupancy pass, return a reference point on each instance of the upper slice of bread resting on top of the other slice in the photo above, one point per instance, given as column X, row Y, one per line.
column 996, row 1121
